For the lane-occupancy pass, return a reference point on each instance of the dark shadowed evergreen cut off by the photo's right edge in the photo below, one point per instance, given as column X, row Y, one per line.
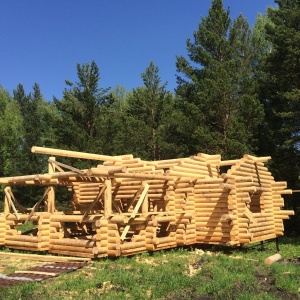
column 281, row 92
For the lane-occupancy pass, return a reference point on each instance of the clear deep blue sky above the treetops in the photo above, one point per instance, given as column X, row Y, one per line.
column 43, row 40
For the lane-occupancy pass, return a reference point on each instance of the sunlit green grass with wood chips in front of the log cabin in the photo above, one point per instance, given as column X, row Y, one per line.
column 217, row 273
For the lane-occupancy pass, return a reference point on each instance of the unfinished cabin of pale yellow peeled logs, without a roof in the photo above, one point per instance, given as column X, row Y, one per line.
column 126, row 205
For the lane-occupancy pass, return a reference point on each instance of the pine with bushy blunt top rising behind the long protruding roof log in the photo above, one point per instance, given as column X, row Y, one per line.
column 80, row 110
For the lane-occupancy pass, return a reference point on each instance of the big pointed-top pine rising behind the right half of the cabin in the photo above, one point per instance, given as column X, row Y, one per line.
column 217, row 94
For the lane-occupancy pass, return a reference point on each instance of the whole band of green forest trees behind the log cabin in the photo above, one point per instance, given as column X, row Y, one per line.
column 238, row 92
